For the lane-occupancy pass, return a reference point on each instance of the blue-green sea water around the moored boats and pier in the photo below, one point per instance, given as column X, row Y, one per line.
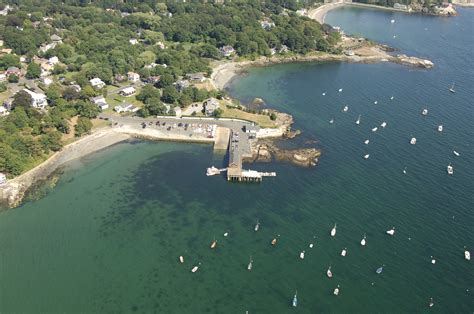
column 107, row 237
